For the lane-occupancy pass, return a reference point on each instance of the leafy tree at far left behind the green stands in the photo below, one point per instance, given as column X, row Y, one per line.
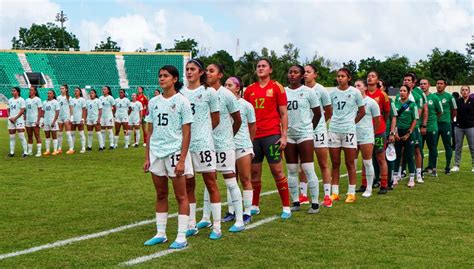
column 44, row 36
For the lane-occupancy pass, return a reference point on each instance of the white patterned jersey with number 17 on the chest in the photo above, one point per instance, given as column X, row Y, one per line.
column 345, row 106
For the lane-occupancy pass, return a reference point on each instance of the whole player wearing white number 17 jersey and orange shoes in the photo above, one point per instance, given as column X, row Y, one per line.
column 348, row 109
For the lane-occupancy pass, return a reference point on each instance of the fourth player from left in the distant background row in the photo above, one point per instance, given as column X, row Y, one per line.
column 64, row 120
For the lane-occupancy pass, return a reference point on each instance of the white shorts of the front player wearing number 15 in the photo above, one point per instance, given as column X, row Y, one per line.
column 165, row 166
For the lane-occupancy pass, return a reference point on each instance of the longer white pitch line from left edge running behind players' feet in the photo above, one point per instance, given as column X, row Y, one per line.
column 103, row 233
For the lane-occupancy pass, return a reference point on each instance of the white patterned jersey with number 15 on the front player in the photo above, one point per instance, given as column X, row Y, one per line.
column 168, row 115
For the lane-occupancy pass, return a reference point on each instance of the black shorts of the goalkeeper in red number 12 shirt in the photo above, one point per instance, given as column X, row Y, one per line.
column 266, row 146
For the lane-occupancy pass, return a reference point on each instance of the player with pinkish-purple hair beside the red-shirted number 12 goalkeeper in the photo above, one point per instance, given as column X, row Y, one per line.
column 243, row 147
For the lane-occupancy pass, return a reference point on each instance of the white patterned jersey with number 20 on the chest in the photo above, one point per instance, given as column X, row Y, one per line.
column 301, row 101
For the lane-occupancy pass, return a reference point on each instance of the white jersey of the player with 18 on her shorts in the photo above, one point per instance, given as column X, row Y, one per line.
column 204, row 101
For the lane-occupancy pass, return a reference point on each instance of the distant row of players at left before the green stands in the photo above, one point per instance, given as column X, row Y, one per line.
column 71, row 114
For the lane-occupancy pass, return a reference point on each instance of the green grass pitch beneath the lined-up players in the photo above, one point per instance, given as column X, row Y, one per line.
column 43, row 200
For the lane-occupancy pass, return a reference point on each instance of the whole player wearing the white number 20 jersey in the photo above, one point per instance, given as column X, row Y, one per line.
column 304, row 112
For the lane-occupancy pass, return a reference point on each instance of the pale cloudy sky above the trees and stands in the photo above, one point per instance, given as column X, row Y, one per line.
column 339, row 30
